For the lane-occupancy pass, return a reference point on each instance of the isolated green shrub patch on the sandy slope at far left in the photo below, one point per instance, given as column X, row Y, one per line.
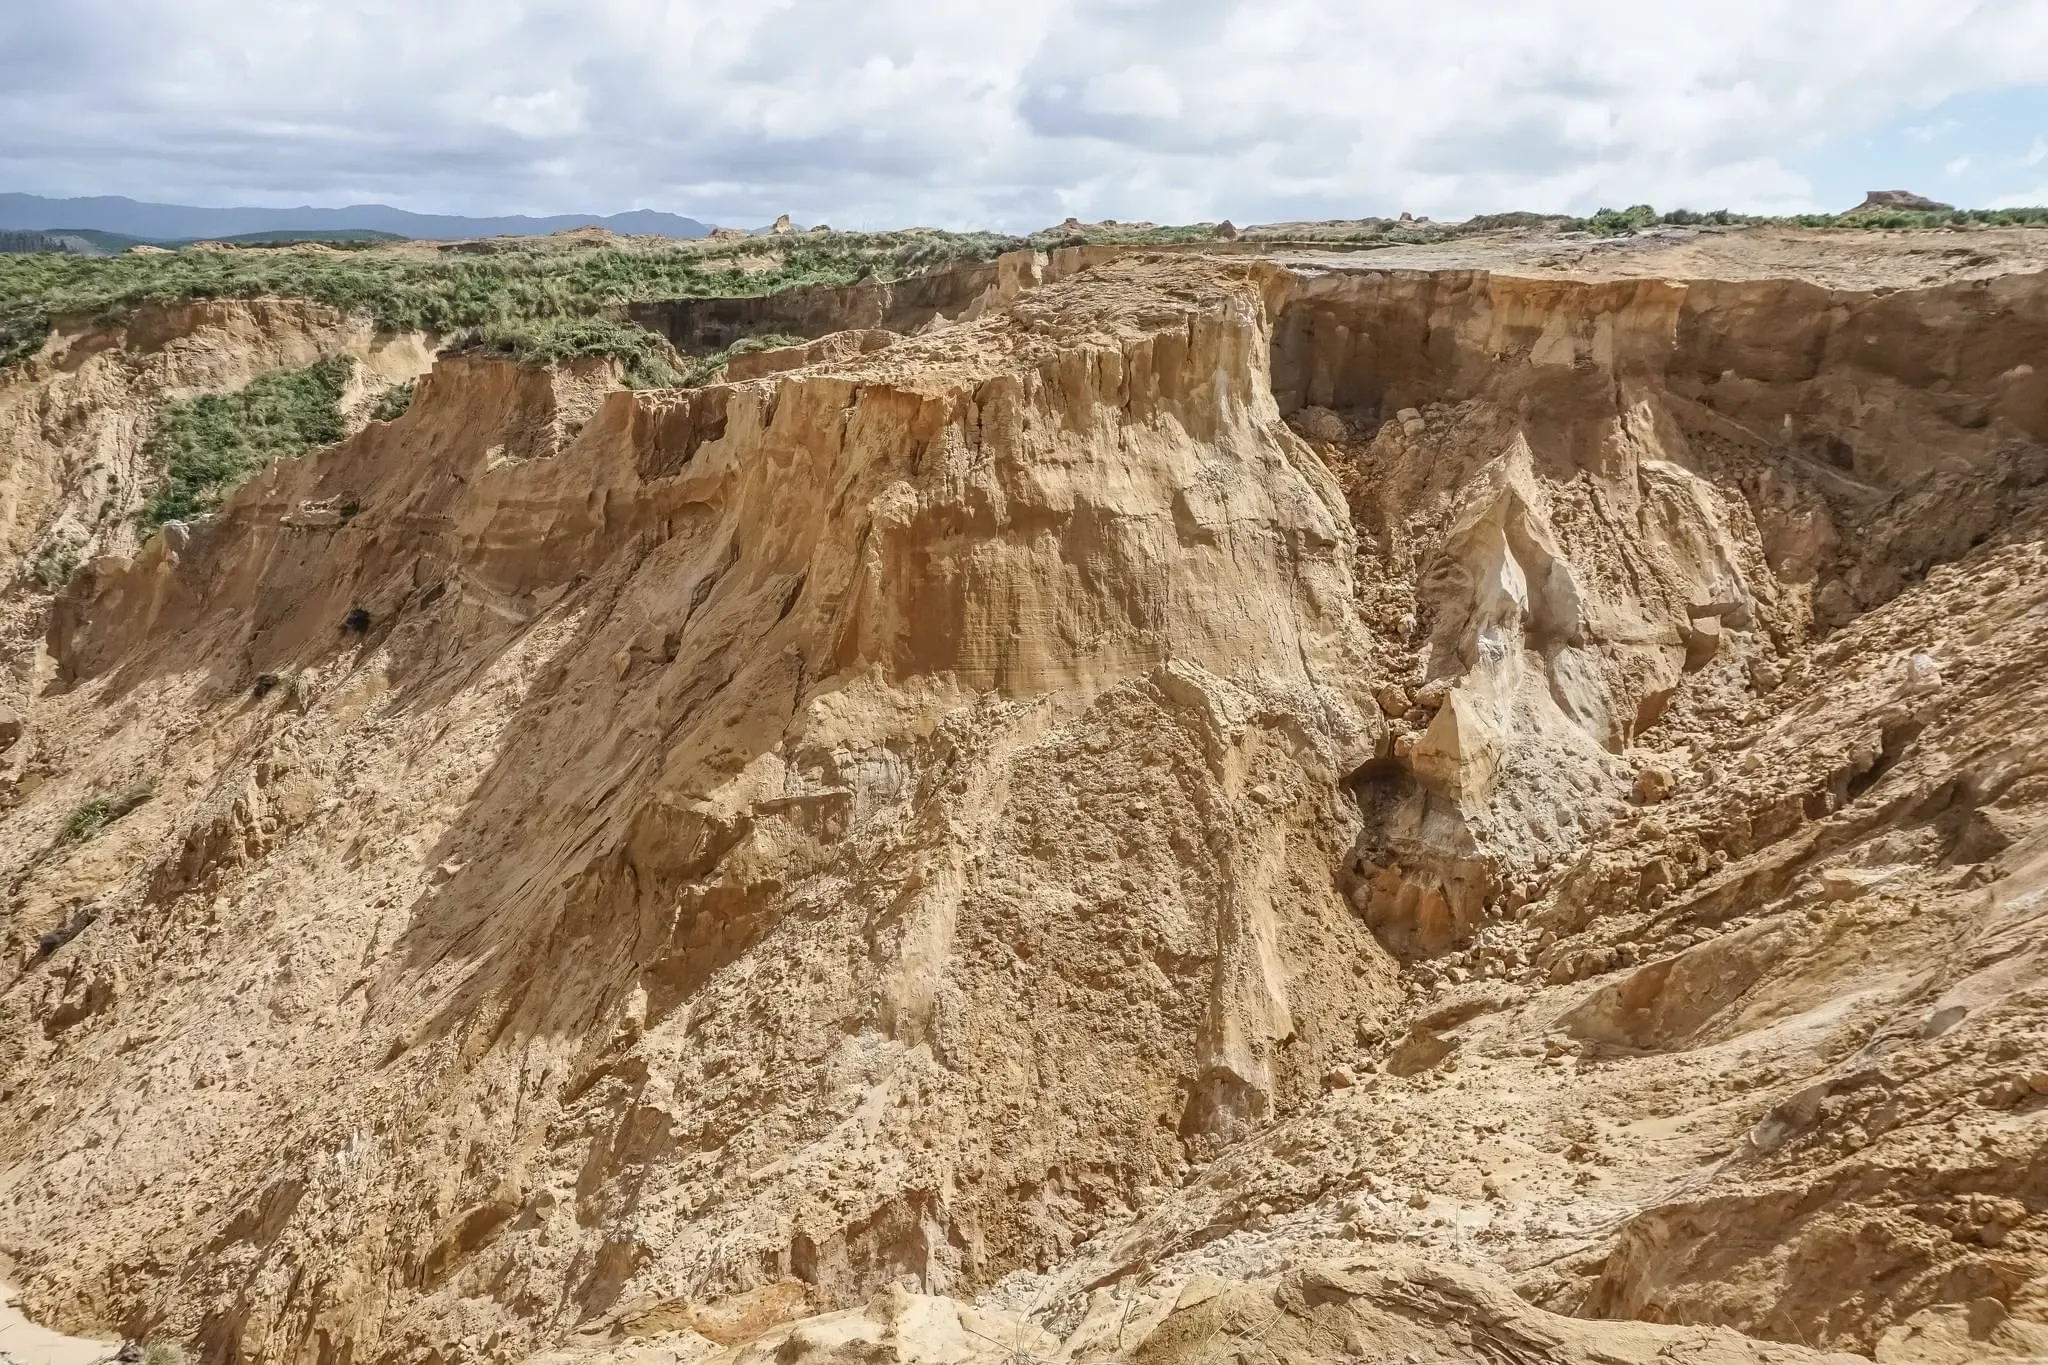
column 212, row 443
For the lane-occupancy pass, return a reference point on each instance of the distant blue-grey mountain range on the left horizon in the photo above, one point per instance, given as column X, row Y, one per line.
column 130, row 218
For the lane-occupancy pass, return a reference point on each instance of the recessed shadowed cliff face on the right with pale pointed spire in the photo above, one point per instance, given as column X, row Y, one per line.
column 1621, row 486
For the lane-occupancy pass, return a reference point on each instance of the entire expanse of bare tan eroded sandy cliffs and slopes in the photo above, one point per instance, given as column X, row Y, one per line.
column 1478, row 803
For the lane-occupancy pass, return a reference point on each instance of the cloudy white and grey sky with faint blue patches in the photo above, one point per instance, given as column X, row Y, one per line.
column 968, row 114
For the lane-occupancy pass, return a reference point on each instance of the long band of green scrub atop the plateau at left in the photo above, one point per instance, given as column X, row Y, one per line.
column 517, row 296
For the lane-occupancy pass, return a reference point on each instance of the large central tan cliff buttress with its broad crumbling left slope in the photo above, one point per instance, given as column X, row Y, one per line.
column 736, row 936
